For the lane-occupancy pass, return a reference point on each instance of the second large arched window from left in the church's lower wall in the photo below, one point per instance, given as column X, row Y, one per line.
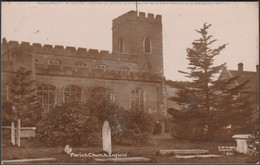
column 72, row 93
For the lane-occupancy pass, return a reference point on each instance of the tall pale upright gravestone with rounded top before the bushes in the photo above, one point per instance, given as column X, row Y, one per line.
column 106, row 137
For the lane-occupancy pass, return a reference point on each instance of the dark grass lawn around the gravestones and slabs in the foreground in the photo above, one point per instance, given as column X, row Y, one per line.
column 34, row 149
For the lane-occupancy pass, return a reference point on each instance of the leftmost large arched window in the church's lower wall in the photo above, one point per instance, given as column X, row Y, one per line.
column 46, row 96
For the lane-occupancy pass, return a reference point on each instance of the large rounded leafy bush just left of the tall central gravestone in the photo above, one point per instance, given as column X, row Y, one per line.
column 65, row 124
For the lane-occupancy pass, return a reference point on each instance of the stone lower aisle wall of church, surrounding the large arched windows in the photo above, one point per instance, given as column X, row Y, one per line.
column 121, row 88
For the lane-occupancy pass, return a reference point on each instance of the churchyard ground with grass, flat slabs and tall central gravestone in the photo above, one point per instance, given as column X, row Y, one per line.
column 32, row 149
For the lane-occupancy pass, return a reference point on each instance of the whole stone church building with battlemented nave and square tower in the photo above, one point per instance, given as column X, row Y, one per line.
column 132, row 73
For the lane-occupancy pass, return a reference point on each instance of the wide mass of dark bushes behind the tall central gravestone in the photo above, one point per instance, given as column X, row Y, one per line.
column 81, row 123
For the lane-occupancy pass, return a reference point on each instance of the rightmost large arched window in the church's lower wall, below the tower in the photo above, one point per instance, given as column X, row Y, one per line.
column 138, row 99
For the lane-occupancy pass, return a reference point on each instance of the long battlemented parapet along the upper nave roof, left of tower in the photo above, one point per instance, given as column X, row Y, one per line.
column 37, row 48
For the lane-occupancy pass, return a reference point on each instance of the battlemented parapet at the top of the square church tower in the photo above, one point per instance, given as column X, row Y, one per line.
column 133, row 15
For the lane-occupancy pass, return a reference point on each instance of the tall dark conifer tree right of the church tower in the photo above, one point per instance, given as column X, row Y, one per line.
column 208, row 103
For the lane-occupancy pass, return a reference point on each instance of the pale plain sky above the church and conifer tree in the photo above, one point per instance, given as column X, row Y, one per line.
column 89, row 25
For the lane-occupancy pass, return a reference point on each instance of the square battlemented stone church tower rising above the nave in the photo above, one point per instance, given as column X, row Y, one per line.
column 133, row 33
